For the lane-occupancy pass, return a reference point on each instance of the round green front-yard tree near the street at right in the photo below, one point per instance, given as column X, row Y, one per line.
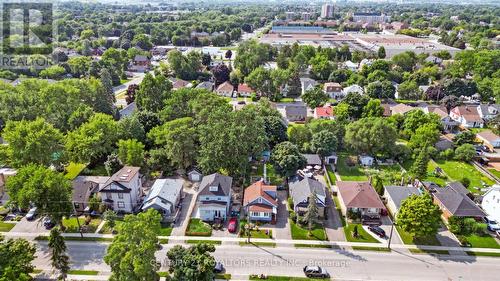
column 419, row 216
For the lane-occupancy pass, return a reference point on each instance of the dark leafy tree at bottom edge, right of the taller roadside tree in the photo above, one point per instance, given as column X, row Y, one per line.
column 193, row 263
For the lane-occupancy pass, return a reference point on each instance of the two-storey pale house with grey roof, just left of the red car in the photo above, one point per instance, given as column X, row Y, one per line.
column 214, row 197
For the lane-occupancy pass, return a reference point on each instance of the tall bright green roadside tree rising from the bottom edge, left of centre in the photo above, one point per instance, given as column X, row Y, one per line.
column 131, row 255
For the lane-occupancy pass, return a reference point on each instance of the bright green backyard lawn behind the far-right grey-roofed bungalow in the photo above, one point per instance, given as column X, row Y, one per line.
column 457, row 170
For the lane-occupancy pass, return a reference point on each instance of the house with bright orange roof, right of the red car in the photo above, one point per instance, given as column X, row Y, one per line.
column 260, row 202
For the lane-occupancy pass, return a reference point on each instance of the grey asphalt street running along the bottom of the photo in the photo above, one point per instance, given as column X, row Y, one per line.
column 286, row 261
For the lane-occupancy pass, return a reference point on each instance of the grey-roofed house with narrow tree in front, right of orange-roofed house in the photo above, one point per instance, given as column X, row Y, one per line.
column 300, row 192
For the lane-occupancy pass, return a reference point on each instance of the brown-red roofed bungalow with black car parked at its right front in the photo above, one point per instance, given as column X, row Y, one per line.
column 359, row 199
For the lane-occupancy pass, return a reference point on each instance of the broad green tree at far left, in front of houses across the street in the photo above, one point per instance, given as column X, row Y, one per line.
column 48, row 190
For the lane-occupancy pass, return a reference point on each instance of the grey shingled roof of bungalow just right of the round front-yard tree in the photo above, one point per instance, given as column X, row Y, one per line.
column 458, row 204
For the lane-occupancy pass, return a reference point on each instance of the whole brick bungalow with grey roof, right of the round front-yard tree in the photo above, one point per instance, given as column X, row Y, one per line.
column 454, row 202
